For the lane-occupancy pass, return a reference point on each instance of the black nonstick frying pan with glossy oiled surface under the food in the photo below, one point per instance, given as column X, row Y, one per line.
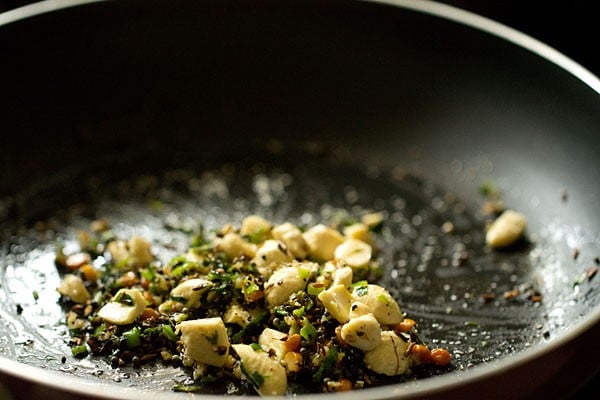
column 112, row 106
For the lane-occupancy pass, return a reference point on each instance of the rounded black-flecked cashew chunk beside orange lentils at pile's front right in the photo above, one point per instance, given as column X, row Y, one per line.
column 390, row 357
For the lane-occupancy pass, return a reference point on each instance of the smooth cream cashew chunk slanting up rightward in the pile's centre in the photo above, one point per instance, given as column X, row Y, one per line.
column 284, row 282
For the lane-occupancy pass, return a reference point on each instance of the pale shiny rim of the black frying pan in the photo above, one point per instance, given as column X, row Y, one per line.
column 407, row 390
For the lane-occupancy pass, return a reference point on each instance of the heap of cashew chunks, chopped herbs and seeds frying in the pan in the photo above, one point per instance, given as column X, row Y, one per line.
column 271, row 306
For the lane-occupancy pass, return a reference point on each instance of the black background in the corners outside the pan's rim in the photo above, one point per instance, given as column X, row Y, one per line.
column 571, row 27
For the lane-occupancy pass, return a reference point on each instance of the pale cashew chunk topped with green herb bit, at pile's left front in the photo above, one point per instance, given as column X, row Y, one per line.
column 125, row 307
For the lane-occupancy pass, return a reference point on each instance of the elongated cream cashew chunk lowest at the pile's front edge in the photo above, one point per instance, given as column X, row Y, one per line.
column 267, row 375
